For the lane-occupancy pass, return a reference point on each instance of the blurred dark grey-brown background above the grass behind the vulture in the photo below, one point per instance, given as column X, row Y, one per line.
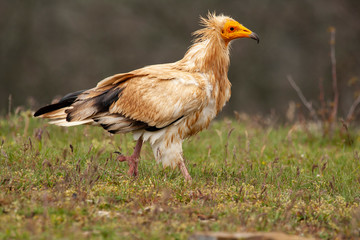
column 50, row 48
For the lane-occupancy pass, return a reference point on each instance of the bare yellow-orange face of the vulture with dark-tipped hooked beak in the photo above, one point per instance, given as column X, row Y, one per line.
column 233, row 30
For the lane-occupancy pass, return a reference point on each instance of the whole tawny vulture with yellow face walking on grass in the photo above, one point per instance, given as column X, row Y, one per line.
column 163, row 104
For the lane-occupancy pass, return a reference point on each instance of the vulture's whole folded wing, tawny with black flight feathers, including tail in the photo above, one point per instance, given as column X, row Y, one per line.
column 150, row 98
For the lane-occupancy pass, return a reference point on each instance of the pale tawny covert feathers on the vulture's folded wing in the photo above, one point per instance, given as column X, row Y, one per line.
column 158, row 99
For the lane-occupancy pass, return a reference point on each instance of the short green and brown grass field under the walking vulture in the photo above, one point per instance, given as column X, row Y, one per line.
column 65, row 183
